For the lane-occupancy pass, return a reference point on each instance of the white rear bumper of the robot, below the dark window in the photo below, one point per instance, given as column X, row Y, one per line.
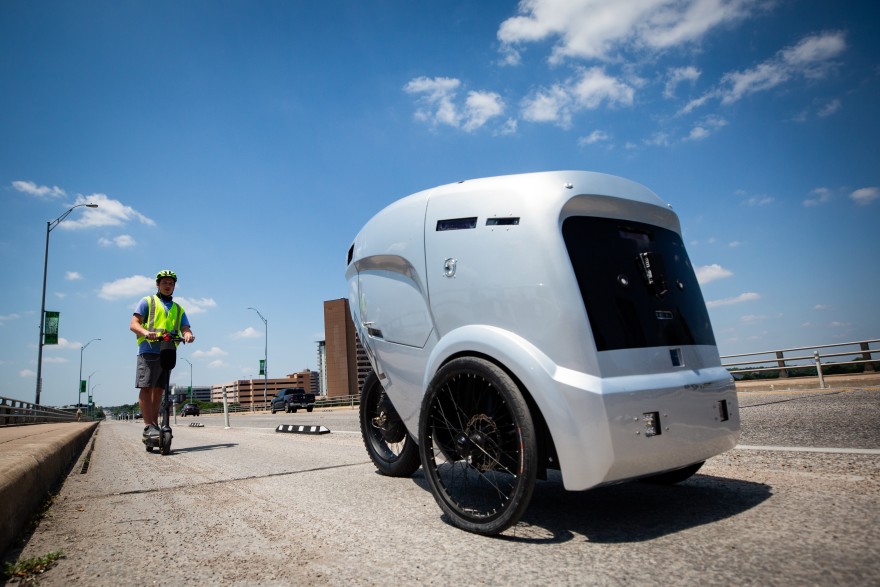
column 600, row 434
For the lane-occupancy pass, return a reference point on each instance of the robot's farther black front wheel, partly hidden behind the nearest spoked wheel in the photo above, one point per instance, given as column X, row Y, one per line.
column 389, row 445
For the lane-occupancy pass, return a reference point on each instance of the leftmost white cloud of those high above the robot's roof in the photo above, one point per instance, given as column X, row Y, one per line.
column 436, row 98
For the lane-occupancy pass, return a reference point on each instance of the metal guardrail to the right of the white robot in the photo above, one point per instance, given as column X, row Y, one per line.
column 786, row 362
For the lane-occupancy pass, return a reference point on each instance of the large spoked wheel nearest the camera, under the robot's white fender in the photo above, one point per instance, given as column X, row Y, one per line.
column 478, row 446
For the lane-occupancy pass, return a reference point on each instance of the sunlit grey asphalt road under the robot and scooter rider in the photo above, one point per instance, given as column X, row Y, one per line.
column 795, row 504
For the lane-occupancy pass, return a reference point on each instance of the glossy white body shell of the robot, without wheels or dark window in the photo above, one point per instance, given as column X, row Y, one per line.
column 506, row 290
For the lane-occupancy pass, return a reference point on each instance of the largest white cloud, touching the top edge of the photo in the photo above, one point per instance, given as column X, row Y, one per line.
column 601, row 29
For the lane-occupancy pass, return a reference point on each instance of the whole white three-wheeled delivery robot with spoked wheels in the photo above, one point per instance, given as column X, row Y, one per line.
column 529, row 322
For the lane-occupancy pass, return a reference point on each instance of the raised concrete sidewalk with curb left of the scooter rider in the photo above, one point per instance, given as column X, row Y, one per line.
column 33, row 459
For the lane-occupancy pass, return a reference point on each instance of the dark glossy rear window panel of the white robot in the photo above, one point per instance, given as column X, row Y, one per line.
column 637, row 284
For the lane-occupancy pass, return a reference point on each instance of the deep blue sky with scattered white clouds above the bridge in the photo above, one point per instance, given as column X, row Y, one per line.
column 244, row 143
